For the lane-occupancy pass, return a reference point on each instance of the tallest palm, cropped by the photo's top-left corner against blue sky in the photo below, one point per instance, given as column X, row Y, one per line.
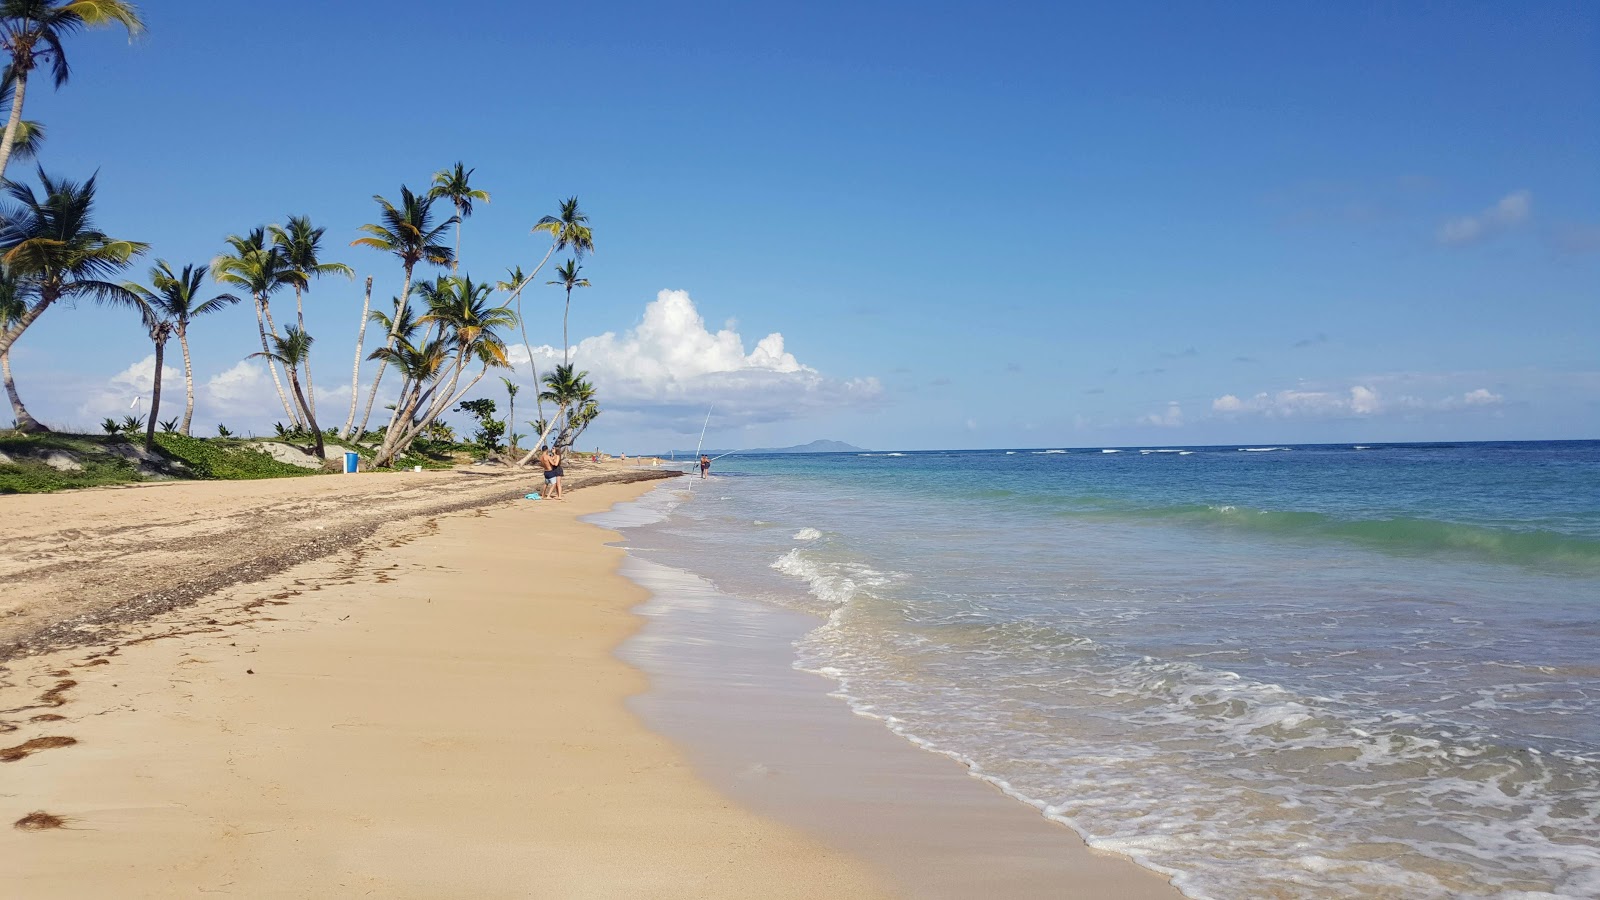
column 31, row 31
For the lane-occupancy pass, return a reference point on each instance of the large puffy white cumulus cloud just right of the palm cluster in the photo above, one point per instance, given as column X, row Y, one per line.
column 671, row 364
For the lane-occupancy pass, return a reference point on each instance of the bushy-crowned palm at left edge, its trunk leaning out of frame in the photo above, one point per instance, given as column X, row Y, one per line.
column 52, row 246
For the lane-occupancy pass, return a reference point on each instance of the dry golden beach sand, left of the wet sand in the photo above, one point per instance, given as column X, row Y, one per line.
column 441, row 717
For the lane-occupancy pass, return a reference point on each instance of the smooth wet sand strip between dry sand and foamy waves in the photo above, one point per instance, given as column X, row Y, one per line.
column 782, row 742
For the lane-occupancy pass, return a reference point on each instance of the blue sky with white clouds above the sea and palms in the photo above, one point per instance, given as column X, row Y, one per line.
column 974, row 227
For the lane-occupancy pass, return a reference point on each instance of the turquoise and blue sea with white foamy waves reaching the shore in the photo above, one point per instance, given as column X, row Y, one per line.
column 1271, row 672
